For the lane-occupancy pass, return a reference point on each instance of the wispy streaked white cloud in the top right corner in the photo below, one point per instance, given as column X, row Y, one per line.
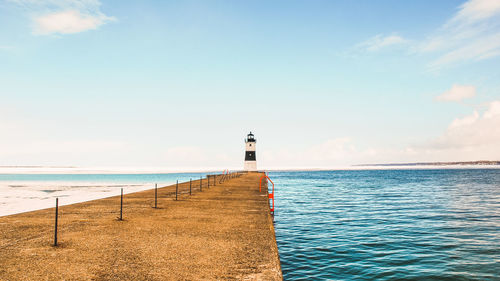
column 472, row 34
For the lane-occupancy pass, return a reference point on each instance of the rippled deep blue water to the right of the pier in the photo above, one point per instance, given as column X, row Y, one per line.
column 389, row 225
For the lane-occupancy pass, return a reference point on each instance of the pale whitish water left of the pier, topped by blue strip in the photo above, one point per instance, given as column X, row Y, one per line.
column 28, row 192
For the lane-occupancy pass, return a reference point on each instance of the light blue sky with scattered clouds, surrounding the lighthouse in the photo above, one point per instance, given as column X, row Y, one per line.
column 179, row 84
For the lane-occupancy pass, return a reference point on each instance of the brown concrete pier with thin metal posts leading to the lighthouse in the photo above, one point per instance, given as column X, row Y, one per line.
column 222, row 232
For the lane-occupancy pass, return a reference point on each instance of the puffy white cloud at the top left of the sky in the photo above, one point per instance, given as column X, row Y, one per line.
column 64, row 16
